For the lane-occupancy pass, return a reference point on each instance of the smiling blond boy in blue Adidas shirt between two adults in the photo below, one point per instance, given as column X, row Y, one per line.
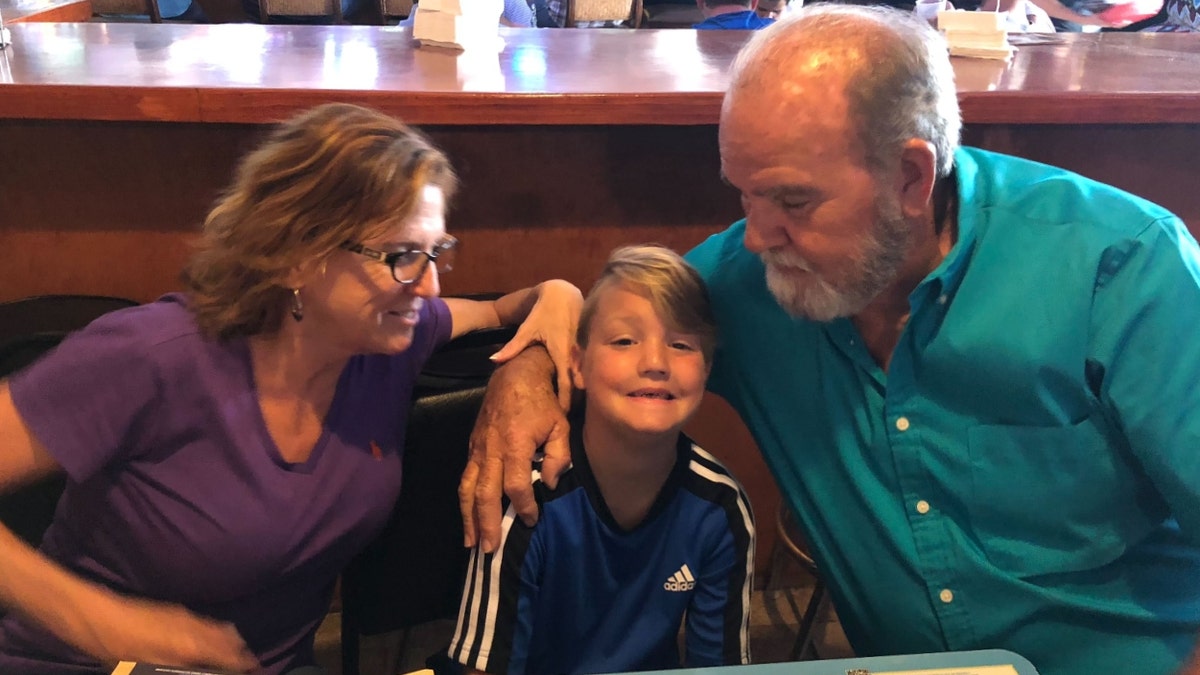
column 646, row 528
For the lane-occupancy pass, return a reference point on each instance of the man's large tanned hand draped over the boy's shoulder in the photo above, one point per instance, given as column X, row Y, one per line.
column 520, row 414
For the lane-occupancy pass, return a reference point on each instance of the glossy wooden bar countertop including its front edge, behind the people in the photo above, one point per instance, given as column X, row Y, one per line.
column 259, row 74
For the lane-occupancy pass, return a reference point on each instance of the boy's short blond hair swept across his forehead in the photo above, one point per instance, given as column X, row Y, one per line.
column 673, row 286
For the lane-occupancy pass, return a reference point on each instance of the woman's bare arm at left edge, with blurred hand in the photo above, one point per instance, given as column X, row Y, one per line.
column 86, row 616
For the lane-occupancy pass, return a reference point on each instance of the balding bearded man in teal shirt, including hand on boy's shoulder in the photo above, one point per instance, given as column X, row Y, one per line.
column 974, row 378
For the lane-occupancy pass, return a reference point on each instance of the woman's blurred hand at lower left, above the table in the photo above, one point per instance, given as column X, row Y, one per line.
column 123, row 629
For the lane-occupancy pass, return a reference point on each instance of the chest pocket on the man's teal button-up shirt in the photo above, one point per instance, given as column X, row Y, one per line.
column 1052, row 500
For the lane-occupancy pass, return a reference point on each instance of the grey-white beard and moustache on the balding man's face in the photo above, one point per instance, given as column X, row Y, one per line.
column 805, row 294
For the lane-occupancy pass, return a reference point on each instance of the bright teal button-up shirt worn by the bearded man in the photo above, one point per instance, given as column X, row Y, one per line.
column 1027, row 475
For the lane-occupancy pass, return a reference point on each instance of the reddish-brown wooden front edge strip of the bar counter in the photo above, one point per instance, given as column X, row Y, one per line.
column 266, row 106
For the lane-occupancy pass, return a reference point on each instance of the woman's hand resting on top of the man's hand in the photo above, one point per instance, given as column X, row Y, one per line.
column 551, row 322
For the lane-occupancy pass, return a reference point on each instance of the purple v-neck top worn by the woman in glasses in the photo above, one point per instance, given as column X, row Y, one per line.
column 178, row 493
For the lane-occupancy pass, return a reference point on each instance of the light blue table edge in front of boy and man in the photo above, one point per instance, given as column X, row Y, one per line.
column 946, row 664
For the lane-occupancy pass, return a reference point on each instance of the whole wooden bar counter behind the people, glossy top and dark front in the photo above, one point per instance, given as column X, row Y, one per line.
column 117, row 138
